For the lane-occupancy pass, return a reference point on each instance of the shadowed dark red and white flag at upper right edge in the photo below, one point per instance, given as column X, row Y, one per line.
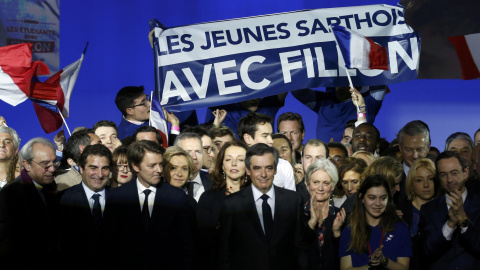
column 468, row 51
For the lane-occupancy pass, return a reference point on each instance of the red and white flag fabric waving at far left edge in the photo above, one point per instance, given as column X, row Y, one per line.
column 16, row 72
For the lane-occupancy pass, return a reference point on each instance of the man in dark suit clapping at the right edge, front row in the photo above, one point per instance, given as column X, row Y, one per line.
column 450, row 224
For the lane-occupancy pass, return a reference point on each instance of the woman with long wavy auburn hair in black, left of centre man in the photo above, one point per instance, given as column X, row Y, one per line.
column 228, row 177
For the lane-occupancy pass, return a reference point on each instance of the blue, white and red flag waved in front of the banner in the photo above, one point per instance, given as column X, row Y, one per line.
column 359, row 51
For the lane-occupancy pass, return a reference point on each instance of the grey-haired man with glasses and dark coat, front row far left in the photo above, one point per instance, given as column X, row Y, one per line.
column 28, row 205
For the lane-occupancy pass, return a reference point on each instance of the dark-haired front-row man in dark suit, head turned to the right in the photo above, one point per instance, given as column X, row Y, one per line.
column 150, row 223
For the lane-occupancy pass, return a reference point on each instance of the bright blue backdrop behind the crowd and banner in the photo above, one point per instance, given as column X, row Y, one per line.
column 119, row 55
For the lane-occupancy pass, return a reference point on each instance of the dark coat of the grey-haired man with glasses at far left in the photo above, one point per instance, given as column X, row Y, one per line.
column 28, row 235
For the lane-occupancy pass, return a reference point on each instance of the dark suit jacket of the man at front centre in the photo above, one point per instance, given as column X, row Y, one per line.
column 242, row 242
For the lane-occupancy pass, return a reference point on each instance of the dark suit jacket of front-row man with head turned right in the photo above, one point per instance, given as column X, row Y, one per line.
column 165, row 242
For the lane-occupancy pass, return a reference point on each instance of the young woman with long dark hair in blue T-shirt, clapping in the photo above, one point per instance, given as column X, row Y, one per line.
column 375, row 238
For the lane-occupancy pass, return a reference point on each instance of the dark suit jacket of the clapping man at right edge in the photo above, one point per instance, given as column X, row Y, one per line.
column 463, row 251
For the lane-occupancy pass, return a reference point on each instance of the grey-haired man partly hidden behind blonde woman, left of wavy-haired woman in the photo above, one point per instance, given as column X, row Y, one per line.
column 200, row 182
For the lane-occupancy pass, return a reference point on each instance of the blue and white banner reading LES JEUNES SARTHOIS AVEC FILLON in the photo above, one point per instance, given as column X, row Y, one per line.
column 223, row 62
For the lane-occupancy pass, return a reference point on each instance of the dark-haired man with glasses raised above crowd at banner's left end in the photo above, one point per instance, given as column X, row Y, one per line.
column 134, row 105
